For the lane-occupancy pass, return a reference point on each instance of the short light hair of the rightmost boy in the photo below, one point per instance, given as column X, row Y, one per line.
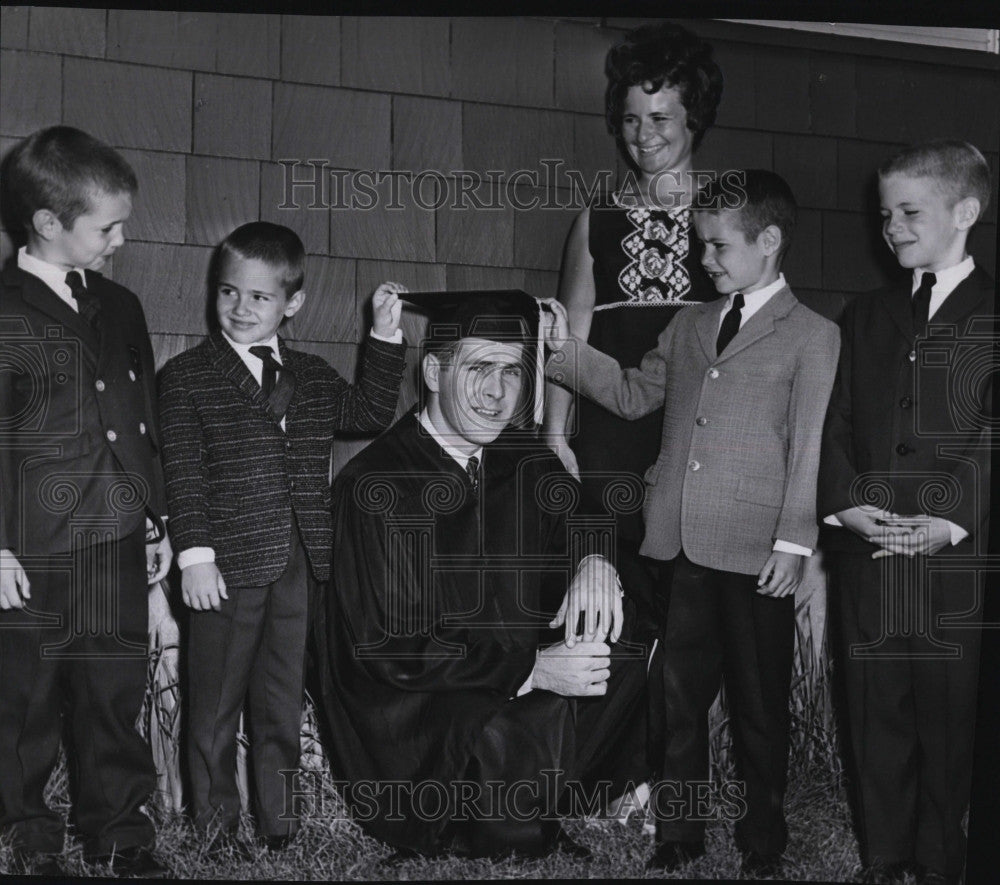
column 958, row 167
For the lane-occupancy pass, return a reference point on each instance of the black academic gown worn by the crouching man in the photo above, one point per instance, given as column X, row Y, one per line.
column 431, row 626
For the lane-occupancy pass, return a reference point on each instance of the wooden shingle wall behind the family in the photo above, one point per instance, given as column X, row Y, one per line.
column 207, row 105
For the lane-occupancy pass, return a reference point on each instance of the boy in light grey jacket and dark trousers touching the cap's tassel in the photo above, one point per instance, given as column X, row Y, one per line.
column 730, row 505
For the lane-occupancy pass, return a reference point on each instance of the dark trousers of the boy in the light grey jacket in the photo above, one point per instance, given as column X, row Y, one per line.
column 718, row 624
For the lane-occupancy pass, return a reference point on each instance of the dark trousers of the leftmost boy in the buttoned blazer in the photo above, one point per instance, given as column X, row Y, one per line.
column 80, row 651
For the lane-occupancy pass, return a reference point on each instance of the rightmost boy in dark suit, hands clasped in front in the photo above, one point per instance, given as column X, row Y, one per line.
column 905, row 476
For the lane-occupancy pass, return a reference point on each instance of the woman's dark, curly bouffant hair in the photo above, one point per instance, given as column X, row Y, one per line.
column 664, row 55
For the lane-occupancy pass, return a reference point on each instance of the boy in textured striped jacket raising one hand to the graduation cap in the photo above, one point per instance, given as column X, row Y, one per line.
column 248, row 427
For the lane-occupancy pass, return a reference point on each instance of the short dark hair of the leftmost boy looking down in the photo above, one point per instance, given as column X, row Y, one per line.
column 60, row 169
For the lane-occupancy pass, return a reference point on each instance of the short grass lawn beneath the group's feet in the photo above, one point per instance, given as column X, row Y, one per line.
column 821, row 846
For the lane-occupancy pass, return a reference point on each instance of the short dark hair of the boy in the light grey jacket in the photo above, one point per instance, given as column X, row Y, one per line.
column 761, row 198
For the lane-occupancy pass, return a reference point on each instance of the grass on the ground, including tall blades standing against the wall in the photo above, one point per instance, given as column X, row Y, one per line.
column 330, row 846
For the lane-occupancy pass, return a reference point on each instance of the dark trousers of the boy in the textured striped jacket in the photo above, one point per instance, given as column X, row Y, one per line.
column 251, row 650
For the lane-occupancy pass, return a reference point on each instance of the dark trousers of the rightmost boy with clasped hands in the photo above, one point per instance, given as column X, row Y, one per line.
column 911, row 687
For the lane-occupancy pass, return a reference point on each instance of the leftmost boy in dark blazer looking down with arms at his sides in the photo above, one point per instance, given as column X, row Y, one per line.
column 80, row 483
